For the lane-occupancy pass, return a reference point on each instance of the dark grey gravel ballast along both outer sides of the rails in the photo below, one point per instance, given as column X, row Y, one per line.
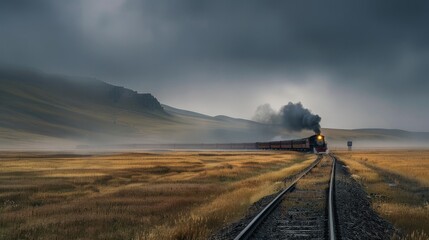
column 355, row 217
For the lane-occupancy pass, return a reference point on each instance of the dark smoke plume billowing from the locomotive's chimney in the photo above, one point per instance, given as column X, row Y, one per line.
column 292, row 116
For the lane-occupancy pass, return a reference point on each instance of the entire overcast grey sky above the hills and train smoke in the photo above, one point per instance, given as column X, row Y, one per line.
column 358, row 64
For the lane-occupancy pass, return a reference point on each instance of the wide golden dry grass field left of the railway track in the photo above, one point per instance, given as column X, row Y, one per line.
column 158, row 195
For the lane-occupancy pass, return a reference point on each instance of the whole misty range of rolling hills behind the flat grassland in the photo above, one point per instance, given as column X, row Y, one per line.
column 39, row 110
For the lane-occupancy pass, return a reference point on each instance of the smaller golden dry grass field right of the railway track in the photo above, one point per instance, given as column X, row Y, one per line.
column 398, row 183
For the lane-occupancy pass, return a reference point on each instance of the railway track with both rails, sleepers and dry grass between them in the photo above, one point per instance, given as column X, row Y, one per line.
column 304, row 210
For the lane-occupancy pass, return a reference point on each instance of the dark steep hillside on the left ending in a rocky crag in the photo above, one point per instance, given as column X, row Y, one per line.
column 38, row 104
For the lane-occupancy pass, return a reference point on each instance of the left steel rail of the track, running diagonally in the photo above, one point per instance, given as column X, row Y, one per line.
column 256, row 221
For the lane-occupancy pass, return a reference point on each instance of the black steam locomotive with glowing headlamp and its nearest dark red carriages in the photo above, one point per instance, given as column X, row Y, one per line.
column 315, row 143
